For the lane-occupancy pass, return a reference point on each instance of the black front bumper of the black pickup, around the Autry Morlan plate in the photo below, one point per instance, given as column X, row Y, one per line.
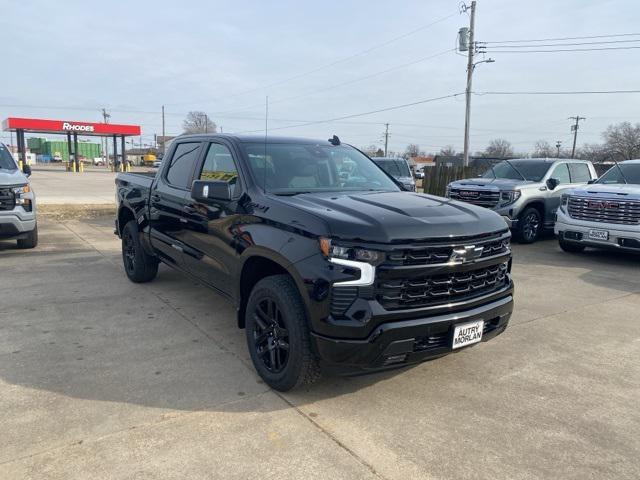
column 405, row 342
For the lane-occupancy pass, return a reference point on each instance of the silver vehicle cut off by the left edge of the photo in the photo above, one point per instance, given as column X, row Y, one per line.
column 17, row 202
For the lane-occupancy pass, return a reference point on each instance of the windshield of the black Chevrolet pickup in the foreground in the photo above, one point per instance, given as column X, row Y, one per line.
column 295, row 168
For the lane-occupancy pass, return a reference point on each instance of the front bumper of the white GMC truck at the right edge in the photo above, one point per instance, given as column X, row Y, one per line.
column 577, row 231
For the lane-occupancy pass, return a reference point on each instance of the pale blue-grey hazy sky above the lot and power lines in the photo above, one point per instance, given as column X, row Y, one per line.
column 66, row 60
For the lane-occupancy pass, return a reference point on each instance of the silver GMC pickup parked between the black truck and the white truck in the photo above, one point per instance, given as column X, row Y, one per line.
column 525, row 191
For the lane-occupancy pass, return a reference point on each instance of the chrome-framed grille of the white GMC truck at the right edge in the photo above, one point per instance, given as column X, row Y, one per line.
column 623, row 212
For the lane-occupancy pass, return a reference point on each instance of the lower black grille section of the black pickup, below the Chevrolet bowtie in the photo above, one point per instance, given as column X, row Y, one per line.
column 428, row 290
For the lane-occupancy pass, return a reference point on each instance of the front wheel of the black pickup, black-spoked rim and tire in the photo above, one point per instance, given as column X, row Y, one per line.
column 278, row 335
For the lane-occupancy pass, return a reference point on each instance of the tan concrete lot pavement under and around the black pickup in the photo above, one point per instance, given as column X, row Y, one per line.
column 101, row 378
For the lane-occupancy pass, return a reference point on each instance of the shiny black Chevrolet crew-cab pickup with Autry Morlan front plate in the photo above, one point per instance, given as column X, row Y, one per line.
column 330, row 264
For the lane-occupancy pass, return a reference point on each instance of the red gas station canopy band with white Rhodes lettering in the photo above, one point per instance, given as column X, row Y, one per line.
column 67, row 126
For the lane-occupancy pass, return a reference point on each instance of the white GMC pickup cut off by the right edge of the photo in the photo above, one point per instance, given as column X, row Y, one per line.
column 605, row 214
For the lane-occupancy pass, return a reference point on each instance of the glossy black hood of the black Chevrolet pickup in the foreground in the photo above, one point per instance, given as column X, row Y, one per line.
column 388, row 217
